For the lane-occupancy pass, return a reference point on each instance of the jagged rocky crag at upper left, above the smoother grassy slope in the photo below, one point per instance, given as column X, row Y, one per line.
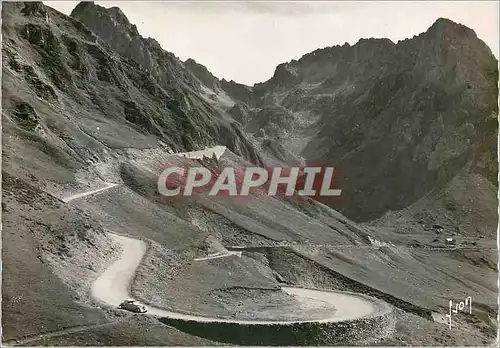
column 105, row 68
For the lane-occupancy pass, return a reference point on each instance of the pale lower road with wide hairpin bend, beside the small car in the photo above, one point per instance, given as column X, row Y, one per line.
column 112, row 287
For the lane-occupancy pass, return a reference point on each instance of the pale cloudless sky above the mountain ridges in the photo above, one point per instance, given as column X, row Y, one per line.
column 244, row 41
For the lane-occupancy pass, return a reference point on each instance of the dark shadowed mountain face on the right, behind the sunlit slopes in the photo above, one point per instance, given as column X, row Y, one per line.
column 396, row 120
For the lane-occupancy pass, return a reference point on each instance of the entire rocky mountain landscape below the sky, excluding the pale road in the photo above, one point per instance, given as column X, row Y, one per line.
column 87, row 101
